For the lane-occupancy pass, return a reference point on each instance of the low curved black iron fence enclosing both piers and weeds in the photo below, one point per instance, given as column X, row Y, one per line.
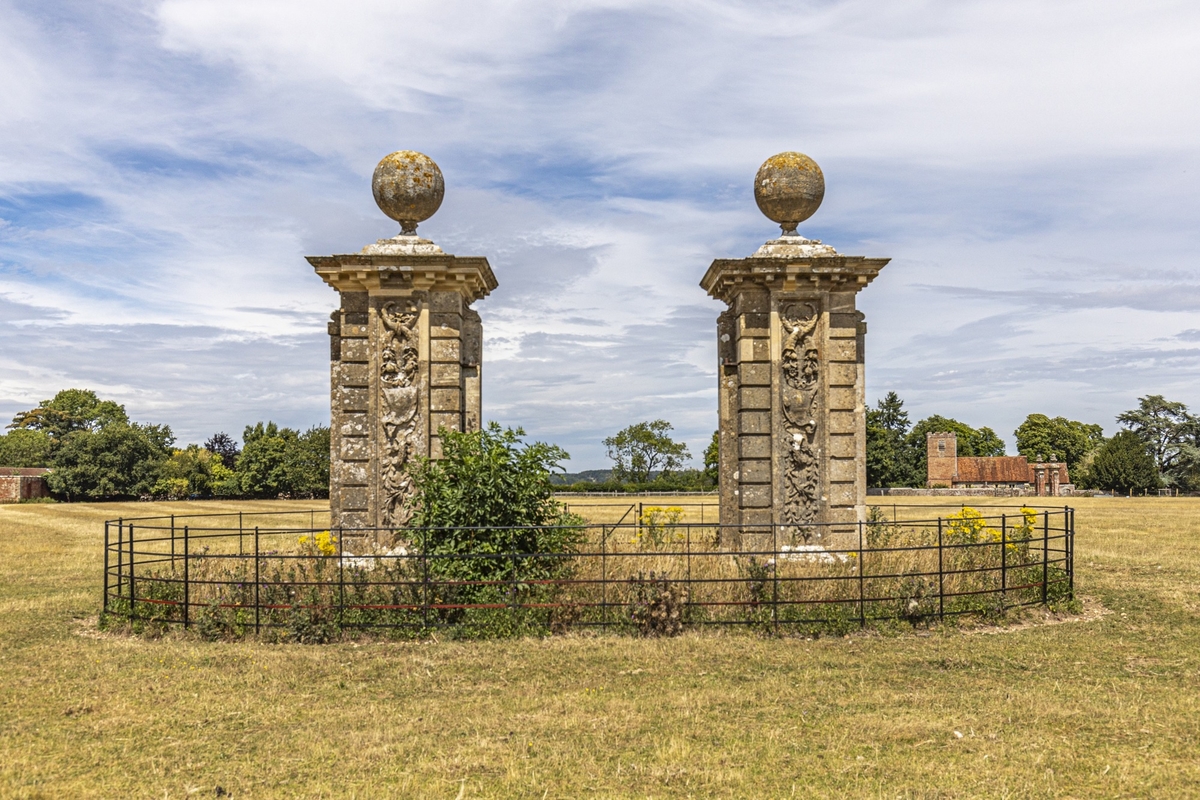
column 233, row 576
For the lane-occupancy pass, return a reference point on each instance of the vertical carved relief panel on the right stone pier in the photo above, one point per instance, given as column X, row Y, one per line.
column 801, row 380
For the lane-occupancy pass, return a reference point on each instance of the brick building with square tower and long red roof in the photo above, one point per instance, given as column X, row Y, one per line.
column 951, row 471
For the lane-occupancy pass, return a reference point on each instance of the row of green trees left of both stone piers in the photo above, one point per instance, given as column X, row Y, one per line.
column 97, row 453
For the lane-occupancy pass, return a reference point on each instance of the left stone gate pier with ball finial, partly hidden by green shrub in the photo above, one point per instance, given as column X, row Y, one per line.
column 406, row 350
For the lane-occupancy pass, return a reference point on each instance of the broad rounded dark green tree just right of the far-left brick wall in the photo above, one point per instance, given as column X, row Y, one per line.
column 117, row 461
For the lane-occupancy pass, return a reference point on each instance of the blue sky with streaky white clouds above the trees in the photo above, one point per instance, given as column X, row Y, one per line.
column 1030, row 169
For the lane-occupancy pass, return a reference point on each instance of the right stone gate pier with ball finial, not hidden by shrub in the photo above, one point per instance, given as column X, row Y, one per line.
column 791, row 370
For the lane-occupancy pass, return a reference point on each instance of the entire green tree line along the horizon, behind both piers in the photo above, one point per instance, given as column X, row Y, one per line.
column 99, row 454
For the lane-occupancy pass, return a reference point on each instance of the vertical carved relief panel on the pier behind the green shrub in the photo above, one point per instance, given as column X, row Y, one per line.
column 399, row 407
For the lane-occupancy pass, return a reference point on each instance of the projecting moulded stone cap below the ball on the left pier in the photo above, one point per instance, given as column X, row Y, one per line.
column 407, row 269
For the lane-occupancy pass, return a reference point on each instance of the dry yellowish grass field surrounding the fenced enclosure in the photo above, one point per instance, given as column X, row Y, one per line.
column 1106, row 707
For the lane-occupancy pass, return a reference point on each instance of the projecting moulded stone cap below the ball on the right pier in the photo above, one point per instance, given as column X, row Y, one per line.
column 727, row 276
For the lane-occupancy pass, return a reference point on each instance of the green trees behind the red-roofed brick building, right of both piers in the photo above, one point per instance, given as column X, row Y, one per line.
column 1157, row 448
